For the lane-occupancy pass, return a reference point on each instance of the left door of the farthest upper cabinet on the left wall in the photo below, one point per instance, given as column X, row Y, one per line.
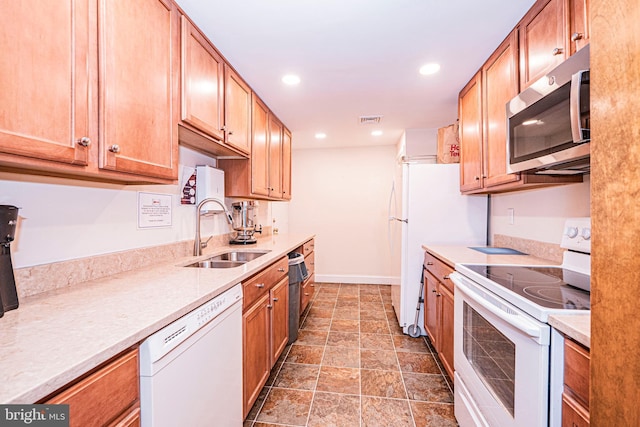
column 259, row 148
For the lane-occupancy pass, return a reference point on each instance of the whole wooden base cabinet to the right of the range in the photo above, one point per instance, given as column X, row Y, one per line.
column 575, row 398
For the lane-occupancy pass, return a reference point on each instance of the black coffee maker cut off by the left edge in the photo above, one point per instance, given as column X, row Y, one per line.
column 8, row 293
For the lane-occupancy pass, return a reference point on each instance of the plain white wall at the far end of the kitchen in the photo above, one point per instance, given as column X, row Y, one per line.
column 342, row 196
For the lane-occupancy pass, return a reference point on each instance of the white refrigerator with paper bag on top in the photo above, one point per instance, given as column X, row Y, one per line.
column 426, row 208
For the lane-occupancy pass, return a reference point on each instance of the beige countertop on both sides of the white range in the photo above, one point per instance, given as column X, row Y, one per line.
column 576, row 326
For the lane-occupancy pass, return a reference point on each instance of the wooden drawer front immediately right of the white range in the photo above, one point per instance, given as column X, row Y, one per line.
column 576, row 371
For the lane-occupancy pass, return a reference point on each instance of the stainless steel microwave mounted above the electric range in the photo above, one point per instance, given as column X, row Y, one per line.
column 548, row 128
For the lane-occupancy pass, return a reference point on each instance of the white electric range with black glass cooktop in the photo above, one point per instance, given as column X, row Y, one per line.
column 508, row 360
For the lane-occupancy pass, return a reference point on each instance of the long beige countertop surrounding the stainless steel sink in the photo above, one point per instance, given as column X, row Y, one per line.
column 55, row 337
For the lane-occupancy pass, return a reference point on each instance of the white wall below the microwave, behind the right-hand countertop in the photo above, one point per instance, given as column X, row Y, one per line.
column 540, row 214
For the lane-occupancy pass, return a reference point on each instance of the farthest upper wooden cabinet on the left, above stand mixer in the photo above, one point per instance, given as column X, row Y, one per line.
column 261, row 176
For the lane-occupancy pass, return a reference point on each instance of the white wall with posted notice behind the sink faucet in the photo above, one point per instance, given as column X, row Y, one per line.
column 61, row 219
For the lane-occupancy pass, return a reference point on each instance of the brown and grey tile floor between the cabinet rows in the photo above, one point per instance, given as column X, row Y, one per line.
column 352, row 366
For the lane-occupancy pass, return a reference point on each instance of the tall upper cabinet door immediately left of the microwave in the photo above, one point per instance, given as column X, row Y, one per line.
column 499, row 85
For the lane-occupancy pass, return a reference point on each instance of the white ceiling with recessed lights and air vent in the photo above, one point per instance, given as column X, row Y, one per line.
column 356, row 58
